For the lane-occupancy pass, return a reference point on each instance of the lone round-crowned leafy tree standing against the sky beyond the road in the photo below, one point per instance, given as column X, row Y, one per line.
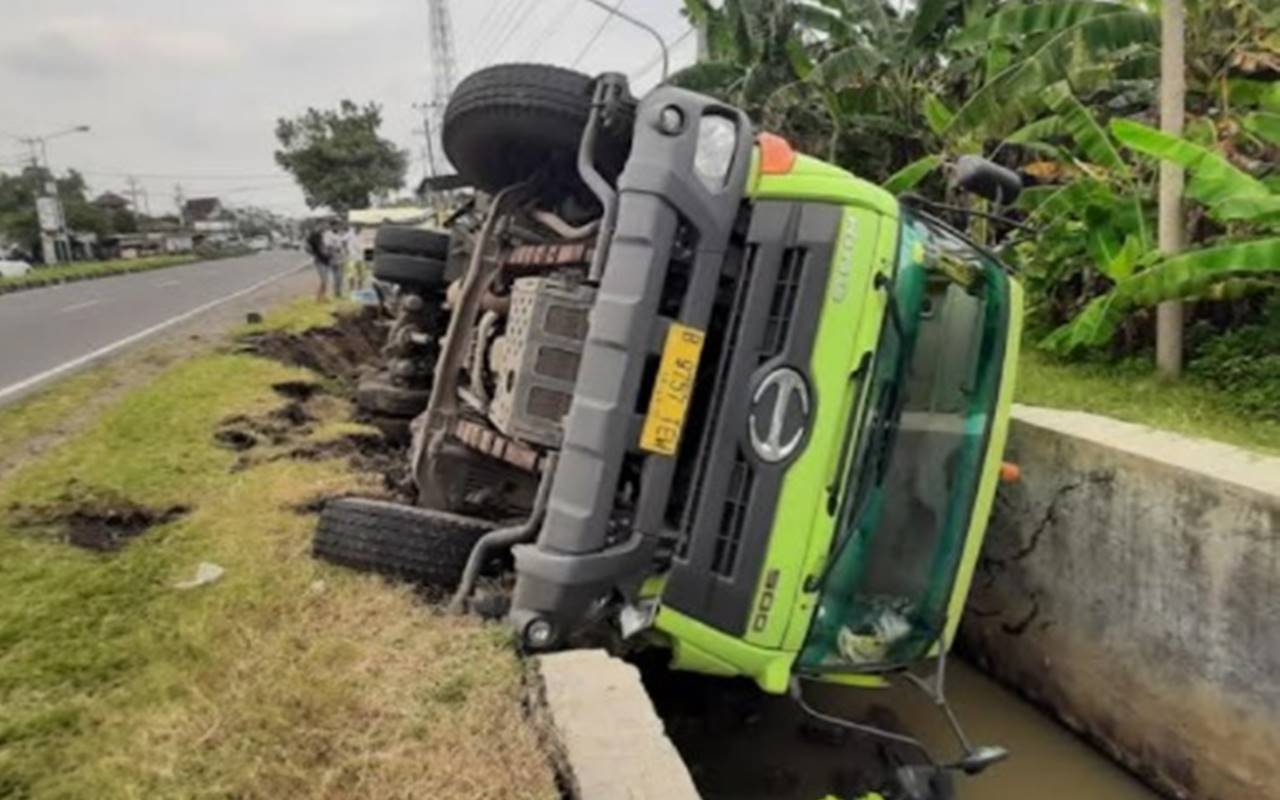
column 337, row 157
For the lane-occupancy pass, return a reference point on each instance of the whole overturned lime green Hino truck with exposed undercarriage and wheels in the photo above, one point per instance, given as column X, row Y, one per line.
column 705, row 392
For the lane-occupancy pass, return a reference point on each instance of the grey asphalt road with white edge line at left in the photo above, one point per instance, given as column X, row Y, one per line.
column 47, row 333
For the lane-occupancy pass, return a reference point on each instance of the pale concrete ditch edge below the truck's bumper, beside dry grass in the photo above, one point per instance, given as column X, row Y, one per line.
column 610, row 740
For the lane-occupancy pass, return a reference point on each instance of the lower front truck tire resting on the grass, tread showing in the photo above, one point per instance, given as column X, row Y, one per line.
column 422, row 546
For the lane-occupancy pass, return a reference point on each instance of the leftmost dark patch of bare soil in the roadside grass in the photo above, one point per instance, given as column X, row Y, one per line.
column 95, row 522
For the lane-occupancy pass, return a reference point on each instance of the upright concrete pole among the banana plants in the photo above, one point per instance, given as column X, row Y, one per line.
column 1173, row 115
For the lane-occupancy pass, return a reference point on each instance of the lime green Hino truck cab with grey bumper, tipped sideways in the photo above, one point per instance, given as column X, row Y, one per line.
column 788, row 424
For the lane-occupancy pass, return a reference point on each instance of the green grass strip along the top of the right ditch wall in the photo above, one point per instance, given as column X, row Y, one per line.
column 1132, row 391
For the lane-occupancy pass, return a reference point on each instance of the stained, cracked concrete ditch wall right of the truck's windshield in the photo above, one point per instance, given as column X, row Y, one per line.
column 1131, row 583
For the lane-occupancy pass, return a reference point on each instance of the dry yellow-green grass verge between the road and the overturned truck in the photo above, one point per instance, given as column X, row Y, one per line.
column 285, row 679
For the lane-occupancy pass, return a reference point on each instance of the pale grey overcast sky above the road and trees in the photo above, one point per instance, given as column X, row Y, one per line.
column 180, row 92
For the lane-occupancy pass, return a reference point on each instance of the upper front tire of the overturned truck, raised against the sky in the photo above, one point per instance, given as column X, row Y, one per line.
column 506, row 122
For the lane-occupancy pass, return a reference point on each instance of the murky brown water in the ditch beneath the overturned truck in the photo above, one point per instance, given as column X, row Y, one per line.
column 743, row 747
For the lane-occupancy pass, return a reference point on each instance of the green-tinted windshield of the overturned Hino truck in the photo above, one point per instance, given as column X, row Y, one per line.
column 906, row 511
